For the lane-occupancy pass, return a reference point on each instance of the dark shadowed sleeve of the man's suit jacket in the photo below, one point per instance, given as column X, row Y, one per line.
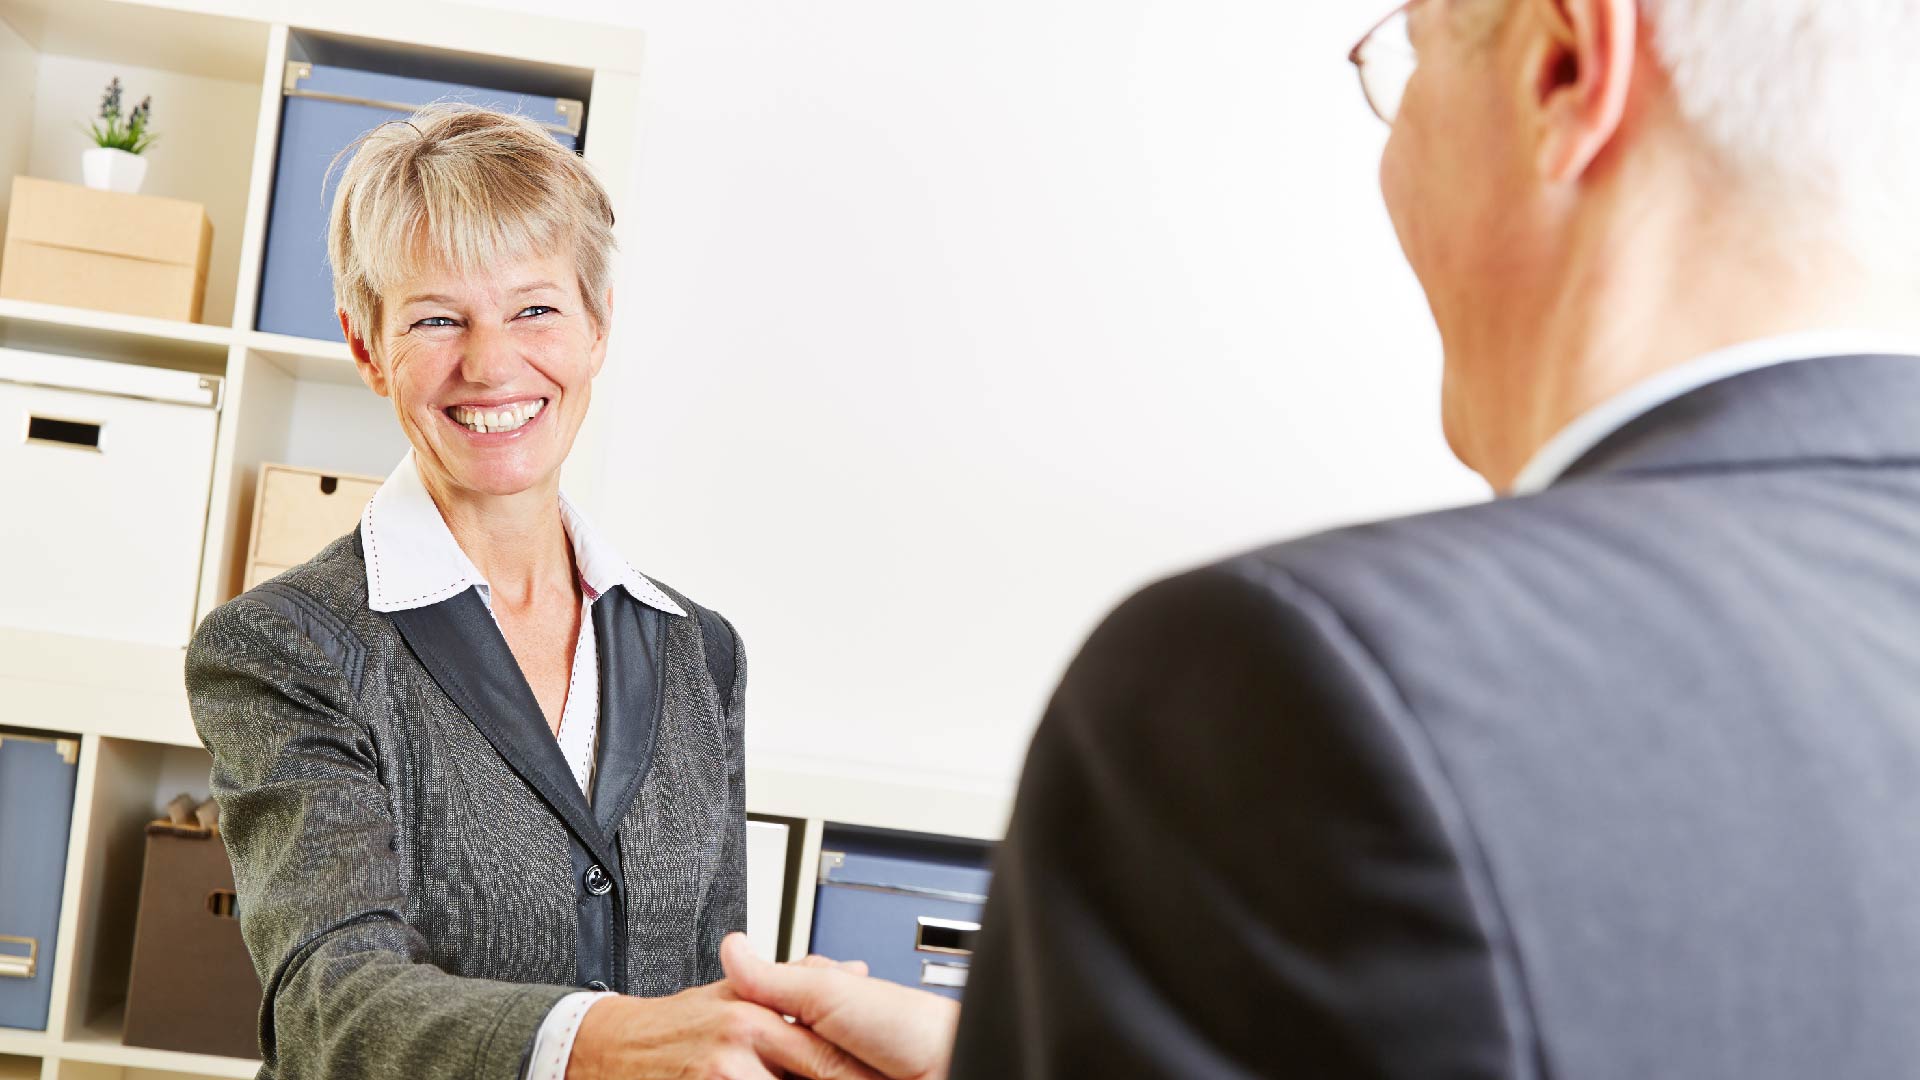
column 1232, row 856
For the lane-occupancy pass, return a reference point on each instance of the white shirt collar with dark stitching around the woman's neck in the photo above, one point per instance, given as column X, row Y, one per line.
column 414, row 558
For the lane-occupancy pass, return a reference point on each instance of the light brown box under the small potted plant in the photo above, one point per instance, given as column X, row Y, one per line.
column 137, row 255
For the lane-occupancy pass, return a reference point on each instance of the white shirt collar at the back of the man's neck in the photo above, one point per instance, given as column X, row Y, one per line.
column 1593, row 428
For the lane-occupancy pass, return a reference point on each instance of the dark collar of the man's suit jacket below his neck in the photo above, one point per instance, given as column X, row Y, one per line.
column 1836, row 410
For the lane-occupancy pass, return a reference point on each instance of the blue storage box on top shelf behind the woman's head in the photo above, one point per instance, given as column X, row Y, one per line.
column 324, row 112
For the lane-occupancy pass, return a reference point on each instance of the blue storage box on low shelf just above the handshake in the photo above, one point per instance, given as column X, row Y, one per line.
column 909, row 906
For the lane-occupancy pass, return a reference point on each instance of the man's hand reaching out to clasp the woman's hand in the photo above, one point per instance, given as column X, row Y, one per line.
column 900, row 1033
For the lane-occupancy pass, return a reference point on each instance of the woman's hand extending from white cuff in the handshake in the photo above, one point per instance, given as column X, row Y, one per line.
column 706, row 1033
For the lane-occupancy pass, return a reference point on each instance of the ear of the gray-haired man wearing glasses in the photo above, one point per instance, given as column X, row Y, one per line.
column 1579, row 72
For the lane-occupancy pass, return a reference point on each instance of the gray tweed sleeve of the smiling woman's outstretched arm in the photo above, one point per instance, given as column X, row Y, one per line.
column 348, row 991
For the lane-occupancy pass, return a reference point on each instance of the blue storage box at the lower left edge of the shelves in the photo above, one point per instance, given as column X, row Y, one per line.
column 36, row 814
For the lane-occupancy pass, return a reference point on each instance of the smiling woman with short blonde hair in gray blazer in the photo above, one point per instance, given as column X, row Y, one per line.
column 477, row 773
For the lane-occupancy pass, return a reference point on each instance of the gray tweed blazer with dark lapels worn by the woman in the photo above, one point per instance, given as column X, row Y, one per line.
column 420, row 879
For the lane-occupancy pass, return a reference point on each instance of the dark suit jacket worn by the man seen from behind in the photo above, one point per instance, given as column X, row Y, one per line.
column 1621, row 779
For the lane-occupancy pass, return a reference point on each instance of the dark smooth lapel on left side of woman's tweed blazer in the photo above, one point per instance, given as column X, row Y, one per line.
column 464, row 650
